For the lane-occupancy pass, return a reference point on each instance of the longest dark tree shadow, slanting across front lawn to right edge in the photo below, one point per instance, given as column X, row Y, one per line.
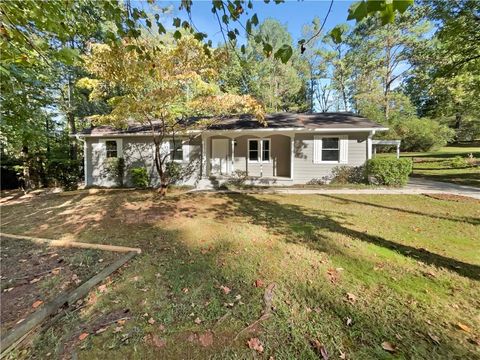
column 285, row 219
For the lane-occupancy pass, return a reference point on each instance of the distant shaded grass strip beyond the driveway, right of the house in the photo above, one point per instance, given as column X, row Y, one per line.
column 437, row 165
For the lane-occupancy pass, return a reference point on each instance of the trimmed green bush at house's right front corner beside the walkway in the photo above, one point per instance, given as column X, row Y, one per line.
column 389, row 171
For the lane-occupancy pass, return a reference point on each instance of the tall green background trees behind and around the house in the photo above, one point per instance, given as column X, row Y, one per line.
column 417, row 71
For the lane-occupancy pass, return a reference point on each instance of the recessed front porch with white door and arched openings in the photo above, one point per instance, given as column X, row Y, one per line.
column 263, row 159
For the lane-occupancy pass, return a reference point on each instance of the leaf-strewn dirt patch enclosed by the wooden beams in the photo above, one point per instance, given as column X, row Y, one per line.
column 32, row 275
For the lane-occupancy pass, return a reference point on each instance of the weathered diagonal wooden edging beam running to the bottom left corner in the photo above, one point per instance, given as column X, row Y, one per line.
column 16, row 335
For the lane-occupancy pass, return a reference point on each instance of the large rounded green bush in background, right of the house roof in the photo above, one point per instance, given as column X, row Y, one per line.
column 422, row 134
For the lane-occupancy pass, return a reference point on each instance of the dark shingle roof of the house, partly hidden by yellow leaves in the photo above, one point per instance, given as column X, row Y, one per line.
column 330, row 120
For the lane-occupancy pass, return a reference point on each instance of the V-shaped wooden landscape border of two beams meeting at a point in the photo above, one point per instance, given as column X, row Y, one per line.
column 16, row 335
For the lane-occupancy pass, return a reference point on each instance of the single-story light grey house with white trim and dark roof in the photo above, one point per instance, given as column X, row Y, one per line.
column 291, row 149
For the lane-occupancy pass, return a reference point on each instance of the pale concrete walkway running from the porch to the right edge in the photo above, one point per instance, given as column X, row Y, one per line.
column 415, row 186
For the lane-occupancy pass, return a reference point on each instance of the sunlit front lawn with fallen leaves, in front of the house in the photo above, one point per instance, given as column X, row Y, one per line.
column 411, row 263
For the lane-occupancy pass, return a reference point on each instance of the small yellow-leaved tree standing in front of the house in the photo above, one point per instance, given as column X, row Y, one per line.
column 163, row 88
